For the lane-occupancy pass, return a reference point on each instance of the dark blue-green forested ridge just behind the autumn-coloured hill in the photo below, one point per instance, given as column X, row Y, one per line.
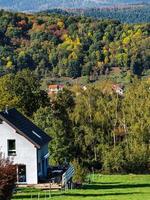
column 126, row 14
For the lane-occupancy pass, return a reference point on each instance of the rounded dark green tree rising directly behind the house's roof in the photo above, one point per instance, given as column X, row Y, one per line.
column 27, row 87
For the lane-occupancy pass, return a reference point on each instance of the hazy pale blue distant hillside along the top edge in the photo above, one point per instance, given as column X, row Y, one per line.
column 37, row 5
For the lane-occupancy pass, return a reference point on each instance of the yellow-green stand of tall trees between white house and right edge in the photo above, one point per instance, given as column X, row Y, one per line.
column 100, row 130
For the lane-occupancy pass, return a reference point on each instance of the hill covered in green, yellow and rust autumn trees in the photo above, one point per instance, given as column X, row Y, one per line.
column 70, row 46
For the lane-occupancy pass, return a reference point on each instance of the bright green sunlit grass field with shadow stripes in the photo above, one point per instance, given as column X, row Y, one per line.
column 102, row 187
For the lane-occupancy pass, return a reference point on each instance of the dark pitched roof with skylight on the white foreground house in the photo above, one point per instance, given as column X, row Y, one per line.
column 25, row 127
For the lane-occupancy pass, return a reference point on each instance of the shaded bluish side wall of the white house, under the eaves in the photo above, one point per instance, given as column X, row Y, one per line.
column 43, row 161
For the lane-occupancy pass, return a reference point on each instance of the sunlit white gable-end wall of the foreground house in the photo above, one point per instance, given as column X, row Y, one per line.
column 26, row 152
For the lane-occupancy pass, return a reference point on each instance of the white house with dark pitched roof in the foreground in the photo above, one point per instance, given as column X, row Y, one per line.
column 26, row 144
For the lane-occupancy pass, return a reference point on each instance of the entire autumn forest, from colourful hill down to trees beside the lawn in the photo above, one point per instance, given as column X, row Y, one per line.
column 91, row 126
